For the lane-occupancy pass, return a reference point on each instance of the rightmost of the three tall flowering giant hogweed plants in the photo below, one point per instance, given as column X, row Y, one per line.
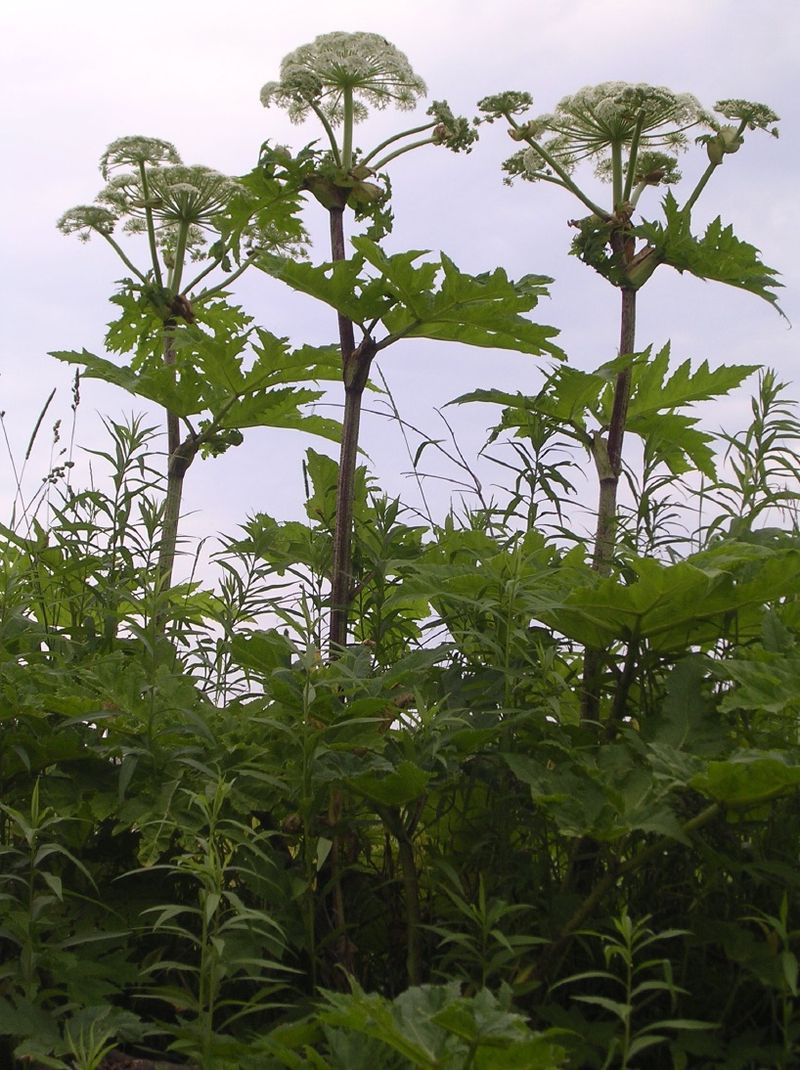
column 633, row 134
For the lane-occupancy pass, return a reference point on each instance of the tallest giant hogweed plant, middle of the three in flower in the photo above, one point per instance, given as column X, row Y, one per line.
column 337, row 79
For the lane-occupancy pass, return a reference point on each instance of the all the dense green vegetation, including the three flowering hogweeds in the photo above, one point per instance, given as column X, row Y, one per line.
column 398, row 790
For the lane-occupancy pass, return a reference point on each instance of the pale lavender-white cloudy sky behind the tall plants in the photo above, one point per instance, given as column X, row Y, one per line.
column 78, row 77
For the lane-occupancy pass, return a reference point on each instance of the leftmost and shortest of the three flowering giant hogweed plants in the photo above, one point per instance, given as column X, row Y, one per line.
column 194, row 354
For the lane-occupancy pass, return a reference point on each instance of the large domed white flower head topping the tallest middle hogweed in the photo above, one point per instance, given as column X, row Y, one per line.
column 317, row 77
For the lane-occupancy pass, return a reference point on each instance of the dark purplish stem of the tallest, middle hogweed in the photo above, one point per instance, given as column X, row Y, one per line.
column 356, row 371
